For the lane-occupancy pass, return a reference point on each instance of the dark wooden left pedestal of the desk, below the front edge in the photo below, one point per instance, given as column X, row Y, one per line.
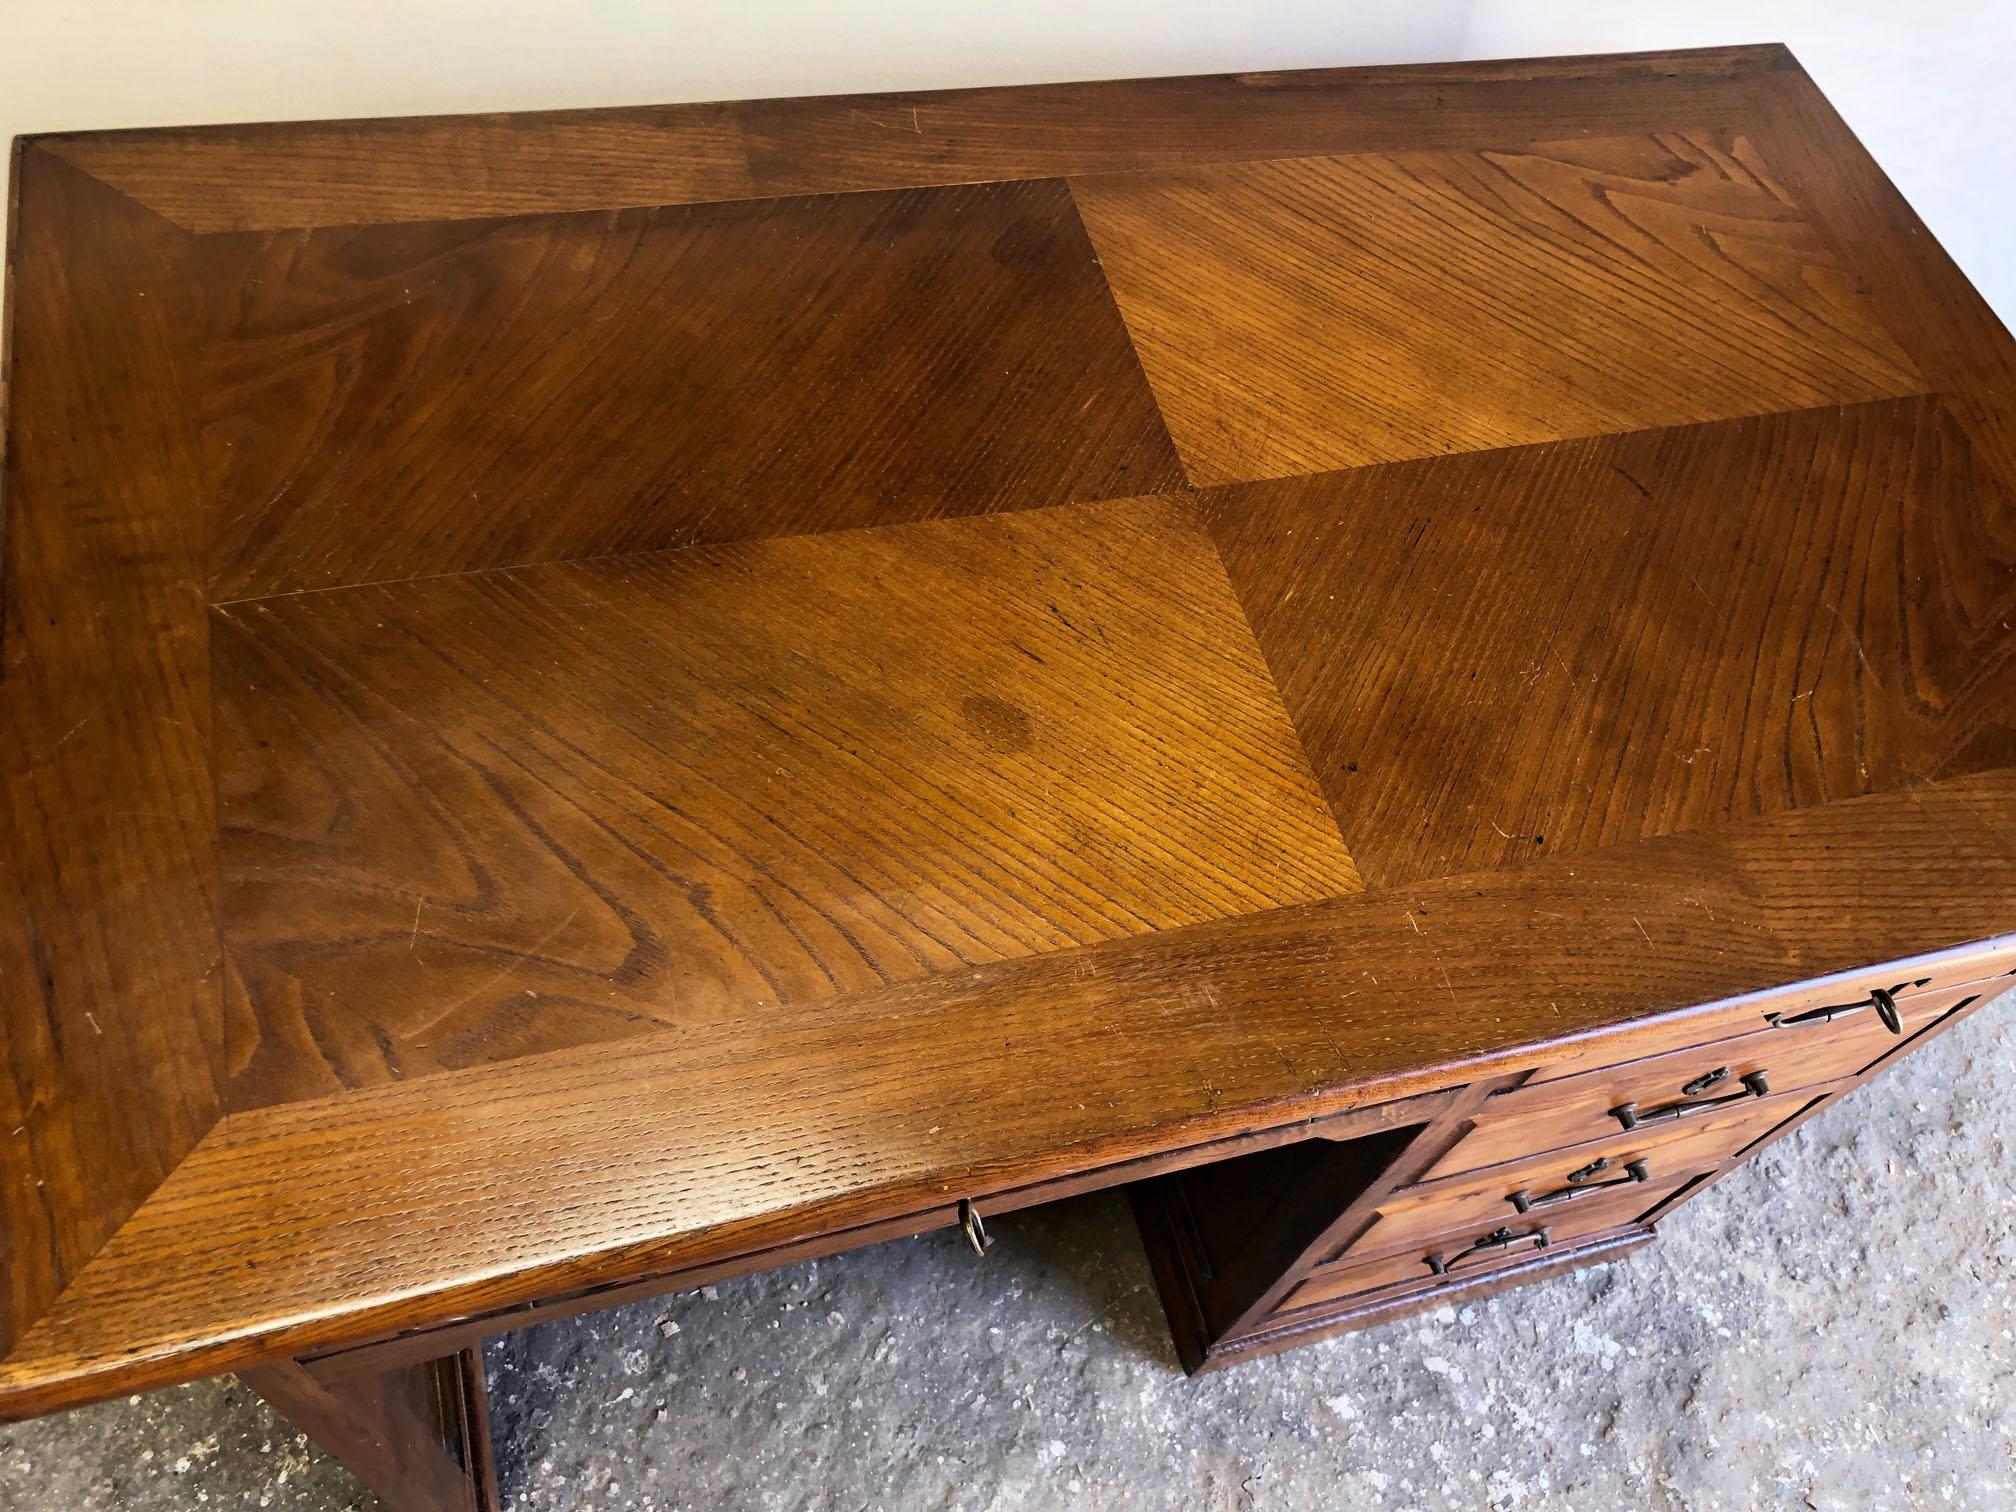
column 418, row 1434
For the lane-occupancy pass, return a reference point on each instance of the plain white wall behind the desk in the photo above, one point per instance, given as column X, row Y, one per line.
column 1926, row 86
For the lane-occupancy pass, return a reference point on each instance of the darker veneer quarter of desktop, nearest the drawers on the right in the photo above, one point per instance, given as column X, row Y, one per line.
column 1793, row 610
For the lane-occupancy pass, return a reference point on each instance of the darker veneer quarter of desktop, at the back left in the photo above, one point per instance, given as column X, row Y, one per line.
column 420, row 400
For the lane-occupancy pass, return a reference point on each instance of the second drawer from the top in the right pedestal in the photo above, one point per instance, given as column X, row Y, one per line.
column 1807, row 1049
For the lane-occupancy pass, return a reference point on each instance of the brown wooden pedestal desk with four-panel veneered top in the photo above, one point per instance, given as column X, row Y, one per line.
column 1396, row 658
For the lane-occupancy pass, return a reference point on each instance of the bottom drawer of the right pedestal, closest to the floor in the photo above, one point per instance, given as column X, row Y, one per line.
column 1485, row 1247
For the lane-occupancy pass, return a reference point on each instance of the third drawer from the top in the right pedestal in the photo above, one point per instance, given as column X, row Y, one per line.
column 1561, row 1182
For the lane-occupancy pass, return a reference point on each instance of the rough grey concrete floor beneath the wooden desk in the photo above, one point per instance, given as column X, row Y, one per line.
column 1825, row 1330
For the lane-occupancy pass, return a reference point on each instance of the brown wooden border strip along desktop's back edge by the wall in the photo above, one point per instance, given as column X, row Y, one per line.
column 277, row 176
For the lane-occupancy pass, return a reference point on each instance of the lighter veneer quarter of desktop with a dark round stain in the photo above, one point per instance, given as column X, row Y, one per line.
column 513, row 811
